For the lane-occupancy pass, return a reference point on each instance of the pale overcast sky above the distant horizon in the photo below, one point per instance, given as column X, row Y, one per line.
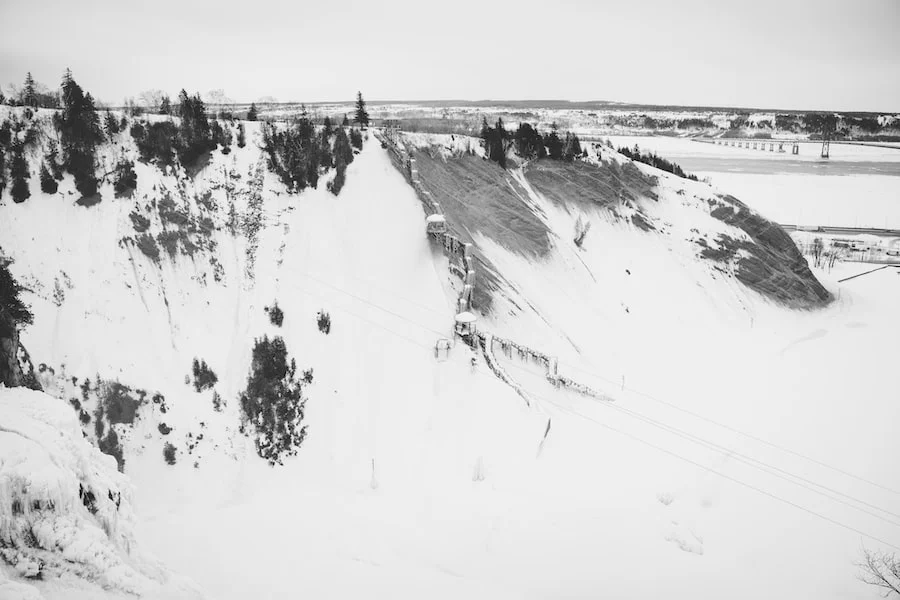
column 802, row 54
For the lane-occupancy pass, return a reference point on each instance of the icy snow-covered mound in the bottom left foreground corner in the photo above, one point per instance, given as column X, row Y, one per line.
column 66, row 520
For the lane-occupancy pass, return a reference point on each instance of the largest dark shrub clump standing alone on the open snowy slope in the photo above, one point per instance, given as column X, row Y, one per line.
column 272, row 406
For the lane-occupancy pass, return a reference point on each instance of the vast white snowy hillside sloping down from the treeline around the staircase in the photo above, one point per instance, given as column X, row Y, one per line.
column 660, row 468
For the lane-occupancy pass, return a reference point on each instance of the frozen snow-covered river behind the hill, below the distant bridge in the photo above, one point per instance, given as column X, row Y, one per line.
column 857, row 187
